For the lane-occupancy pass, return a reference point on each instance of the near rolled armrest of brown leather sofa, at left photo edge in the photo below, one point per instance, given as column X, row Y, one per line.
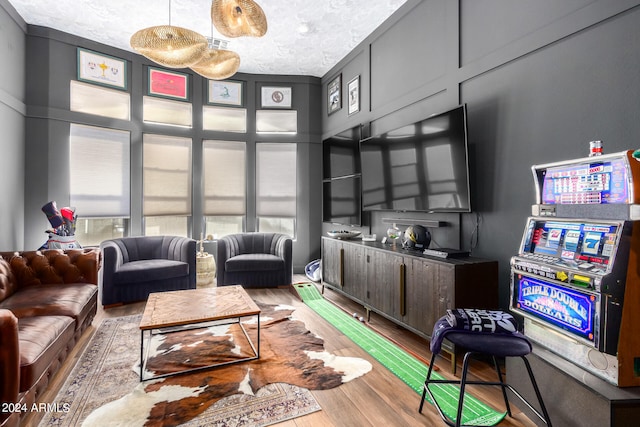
column 9, row 361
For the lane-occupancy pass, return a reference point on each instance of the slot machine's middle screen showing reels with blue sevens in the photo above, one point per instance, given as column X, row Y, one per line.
column 576, row 244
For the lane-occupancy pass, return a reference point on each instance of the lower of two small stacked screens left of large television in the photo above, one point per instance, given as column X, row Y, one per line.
column 341, row 201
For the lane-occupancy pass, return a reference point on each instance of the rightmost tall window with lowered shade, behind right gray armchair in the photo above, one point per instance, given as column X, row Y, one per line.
column 276, row 190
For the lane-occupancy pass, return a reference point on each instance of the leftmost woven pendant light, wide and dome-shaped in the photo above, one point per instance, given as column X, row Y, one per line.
column 173, row 47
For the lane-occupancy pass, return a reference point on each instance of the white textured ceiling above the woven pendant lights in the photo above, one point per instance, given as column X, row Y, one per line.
column 333, row 27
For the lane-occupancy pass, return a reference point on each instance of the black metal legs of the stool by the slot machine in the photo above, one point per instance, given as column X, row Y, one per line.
column 463, row 383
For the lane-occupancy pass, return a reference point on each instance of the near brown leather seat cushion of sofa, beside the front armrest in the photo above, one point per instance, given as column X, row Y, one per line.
column 42, row 341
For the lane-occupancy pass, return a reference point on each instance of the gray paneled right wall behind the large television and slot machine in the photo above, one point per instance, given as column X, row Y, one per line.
column 540, row 80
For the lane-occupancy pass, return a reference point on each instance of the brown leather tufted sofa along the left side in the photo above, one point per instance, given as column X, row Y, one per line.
column 47, row 300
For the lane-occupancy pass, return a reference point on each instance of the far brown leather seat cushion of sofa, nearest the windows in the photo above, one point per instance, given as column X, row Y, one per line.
column 72, row 300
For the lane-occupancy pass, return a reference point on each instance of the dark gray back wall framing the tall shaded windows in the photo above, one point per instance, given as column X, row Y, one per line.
column 51, row 65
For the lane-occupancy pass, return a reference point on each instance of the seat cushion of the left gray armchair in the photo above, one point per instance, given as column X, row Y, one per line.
column 149, row 270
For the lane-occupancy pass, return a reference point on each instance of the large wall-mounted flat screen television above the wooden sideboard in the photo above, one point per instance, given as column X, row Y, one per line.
column 419, row 167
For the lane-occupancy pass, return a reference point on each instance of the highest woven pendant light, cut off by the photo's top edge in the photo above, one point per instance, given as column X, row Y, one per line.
column 237, row 18
